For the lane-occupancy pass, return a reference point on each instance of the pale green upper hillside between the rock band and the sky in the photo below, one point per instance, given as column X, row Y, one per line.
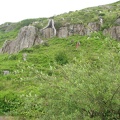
column 109, row 14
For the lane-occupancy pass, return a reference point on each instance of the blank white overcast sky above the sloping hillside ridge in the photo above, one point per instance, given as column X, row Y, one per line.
column 17, row 10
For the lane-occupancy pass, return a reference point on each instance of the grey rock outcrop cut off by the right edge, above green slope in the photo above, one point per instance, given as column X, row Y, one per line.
column 114, row 32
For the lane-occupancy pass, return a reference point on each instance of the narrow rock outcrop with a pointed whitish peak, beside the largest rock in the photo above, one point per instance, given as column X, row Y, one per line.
column 49, row 31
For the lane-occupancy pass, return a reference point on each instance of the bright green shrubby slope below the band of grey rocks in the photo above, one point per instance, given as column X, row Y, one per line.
column 59, row 81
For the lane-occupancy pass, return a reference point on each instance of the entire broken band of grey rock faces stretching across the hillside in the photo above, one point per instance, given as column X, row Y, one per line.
column 30, row 35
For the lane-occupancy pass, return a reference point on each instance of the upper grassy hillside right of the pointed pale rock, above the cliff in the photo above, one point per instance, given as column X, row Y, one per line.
column 109, row 14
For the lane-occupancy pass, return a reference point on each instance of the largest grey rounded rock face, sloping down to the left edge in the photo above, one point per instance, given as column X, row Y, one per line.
column 27, row 37
